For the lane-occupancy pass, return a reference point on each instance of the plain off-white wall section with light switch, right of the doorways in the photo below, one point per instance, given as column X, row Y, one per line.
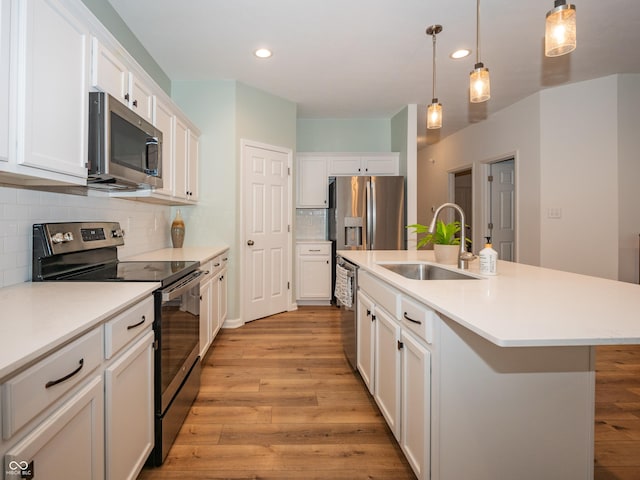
column 579, row 174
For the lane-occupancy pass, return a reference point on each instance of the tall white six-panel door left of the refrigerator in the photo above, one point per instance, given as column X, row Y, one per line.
column 265, row 216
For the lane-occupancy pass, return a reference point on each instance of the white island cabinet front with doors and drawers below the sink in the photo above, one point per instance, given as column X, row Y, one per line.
column 395, row 364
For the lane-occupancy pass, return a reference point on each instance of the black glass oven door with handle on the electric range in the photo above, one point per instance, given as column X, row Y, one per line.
column 177, row 327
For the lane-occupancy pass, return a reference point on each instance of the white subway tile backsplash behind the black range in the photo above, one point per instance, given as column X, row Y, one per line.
column 146, row 226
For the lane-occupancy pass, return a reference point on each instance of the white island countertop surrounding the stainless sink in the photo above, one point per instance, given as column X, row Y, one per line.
column 522, row 305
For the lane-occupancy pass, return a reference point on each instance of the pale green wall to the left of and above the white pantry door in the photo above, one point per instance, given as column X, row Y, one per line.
column 226, row 111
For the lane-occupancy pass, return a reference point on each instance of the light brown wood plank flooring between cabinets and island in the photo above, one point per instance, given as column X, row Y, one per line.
column 279, row 402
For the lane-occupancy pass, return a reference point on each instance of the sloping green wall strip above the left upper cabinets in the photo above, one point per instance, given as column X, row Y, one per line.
column 103, row 10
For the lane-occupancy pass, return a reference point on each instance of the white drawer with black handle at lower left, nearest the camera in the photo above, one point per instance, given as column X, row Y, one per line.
column 30, row 392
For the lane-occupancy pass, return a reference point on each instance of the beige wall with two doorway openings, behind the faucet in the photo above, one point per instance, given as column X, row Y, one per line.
column 513, row 131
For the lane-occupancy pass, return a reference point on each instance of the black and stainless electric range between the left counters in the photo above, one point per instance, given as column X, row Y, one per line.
column 87, row 251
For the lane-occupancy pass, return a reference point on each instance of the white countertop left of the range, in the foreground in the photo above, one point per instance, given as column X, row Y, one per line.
column 42, row 316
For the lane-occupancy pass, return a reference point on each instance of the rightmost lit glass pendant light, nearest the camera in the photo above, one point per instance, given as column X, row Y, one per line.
column 560, row 30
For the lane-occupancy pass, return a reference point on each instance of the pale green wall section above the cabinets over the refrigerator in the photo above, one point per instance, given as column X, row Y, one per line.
column 343, row 135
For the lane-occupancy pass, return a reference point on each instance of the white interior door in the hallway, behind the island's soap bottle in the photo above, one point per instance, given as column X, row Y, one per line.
column 502, row 209
